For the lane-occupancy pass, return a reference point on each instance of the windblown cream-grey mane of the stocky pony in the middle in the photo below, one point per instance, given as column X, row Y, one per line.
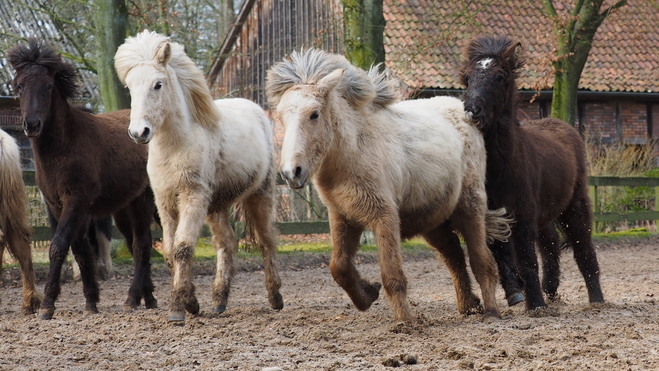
column 309, row 66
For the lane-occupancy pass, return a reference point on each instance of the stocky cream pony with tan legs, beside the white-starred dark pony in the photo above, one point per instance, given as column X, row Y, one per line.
column 399, row 169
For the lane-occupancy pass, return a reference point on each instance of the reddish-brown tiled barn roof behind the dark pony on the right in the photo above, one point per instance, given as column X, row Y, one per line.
column 424, row 45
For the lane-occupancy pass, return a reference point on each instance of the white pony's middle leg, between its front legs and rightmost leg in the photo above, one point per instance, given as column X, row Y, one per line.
column 226, row 245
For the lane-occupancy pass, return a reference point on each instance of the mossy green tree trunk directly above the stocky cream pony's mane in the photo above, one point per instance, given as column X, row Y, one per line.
column 363, row 32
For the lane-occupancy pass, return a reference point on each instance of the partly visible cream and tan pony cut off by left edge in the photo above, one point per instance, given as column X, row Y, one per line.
column 14, row 226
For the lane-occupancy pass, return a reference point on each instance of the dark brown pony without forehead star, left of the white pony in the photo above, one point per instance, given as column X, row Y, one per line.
column 86, row 166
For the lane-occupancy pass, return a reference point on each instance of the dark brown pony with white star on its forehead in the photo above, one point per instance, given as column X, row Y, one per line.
column 537, row 171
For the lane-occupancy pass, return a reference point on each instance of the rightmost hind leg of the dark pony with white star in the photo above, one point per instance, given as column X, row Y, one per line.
column 576, row 221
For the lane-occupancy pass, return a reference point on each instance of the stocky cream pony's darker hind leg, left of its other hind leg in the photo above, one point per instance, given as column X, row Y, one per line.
column 447, row 244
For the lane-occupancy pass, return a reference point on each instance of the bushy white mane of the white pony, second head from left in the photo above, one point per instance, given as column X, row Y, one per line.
column 143, row 49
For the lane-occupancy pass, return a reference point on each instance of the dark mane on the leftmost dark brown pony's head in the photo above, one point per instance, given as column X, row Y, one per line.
column 35, row 53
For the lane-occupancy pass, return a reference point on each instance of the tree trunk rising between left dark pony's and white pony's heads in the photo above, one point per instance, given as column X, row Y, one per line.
column 111, row 21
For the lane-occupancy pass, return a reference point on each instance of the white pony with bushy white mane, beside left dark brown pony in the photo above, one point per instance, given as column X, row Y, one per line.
column 204, row 157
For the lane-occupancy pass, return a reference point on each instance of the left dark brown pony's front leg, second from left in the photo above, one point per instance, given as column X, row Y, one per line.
column 87, row 263
